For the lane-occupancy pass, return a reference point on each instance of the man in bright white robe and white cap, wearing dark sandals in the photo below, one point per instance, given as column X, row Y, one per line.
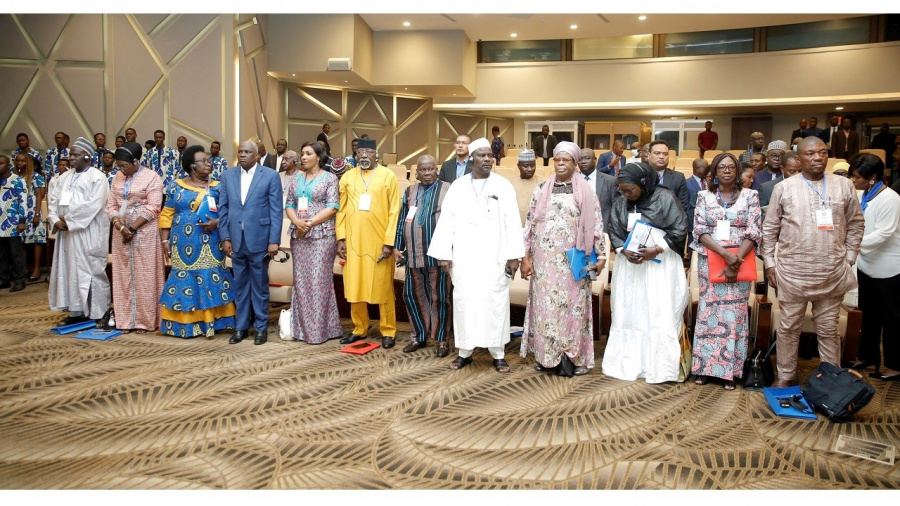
column 479, row 241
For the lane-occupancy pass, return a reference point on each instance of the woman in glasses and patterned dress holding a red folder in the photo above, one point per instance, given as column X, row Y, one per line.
column 723, row 325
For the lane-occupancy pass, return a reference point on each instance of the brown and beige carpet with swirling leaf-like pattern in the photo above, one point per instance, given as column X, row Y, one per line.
column 151, row 412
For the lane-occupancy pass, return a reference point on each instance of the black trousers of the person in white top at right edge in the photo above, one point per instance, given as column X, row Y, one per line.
column 881, row 319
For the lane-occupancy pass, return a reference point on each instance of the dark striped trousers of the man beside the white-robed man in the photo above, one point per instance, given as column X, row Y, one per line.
column 426, row 292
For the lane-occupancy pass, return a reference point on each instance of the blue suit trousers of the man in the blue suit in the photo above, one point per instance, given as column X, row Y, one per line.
column 251, row 289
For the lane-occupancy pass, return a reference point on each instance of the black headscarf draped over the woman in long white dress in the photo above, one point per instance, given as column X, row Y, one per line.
column 658, row 206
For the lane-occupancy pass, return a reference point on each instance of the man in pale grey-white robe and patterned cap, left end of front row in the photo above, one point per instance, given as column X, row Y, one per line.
column 77, row 208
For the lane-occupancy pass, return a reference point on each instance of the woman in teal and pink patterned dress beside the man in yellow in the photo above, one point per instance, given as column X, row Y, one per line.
column 312, row 201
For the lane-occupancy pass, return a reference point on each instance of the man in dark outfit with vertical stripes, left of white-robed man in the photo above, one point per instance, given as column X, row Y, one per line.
column 426, row 289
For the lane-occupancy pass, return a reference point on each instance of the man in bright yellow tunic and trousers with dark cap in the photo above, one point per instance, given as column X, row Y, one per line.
column 366, row 222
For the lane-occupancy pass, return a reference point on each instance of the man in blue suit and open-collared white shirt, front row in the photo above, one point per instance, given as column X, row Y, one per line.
column 250, row 217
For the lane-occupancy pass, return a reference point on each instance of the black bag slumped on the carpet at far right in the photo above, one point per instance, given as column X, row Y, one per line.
column 837, row 393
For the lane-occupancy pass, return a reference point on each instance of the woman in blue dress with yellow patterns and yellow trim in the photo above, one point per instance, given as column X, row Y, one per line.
column 198, row 297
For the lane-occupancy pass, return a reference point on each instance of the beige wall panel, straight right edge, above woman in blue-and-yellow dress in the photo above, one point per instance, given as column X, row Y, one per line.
column 201, row 68
